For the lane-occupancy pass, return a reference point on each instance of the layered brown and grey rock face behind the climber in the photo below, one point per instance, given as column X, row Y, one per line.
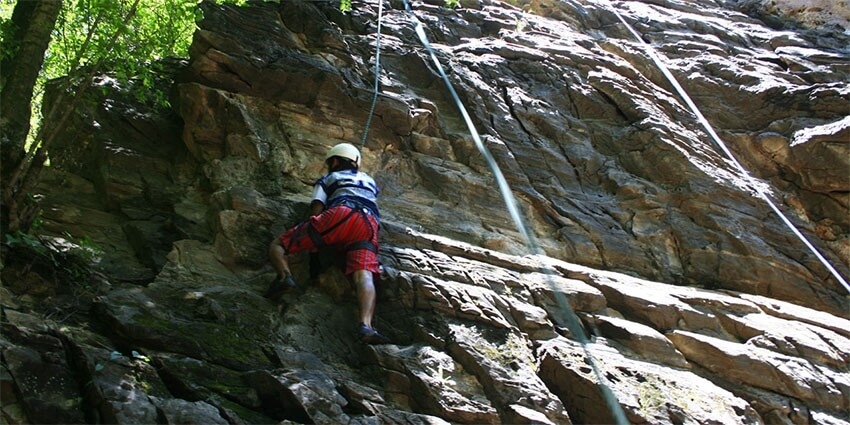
column 656, row 279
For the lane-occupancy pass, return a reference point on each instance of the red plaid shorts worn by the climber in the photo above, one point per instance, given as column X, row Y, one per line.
column 351, row 230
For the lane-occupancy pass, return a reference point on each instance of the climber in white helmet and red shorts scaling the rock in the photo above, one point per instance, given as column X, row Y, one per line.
column 344, row 216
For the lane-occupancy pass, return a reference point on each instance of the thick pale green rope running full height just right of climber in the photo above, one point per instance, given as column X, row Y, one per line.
column 570, row 317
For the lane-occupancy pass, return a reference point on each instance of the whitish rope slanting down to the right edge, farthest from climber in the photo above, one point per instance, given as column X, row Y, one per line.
column 761, row 193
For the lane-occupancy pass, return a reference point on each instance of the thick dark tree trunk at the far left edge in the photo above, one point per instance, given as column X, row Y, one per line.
column 33, row 21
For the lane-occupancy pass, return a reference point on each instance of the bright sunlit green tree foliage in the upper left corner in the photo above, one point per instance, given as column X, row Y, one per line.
column 121, row 39
